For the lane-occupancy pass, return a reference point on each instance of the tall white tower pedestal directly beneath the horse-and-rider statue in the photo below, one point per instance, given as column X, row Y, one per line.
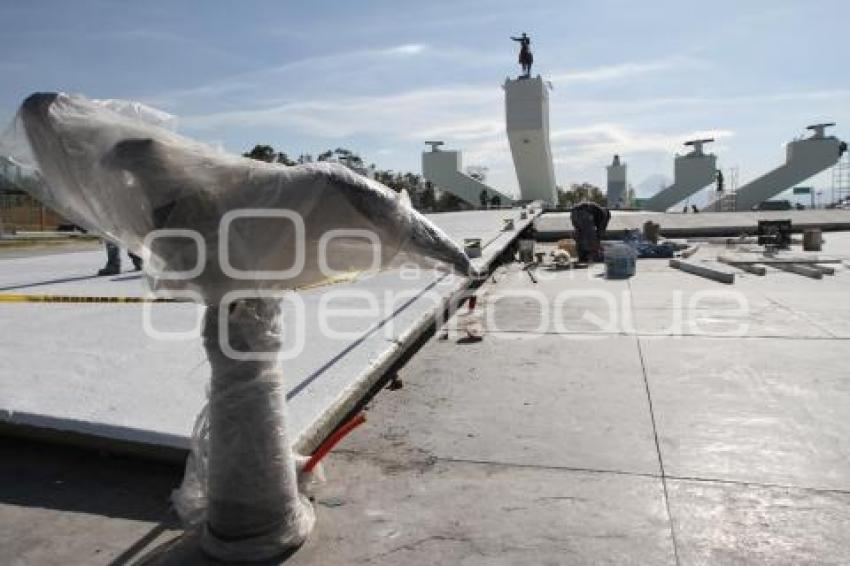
column 527, row 118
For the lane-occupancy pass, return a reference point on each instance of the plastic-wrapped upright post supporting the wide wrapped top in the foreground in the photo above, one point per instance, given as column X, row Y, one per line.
column 245, row 476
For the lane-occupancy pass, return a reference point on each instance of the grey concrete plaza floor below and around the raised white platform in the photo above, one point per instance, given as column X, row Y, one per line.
column 665, row 419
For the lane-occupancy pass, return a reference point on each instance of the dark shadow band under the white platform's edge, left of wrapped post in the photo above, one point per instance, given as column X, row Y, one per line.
column 50, row 476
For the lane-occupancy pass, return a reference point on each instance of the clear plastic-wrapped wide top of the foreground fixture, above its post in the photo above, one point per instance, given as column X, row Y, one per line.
column 207, row 221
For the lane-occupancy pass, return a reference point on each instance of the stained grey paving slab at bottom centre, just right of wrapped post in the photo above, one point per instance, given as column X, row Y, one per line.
column 458, row 513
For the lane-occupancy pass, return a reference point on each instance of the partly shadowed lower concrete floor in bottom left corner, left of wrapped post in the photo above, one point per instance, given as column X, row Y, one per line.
column 63, row 506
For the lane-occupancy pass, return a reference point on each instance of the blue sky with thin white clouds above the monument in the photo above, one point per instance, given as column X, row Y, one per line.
column 381, row 77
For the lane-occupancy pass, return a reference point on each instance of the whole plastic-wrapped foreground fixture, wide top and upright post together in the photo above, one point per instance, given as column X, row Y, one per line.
column 232, row 233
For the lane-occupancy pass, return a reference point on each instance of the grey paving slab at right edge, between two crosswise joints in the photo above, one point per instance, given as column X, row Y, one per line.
column 752, row 410
